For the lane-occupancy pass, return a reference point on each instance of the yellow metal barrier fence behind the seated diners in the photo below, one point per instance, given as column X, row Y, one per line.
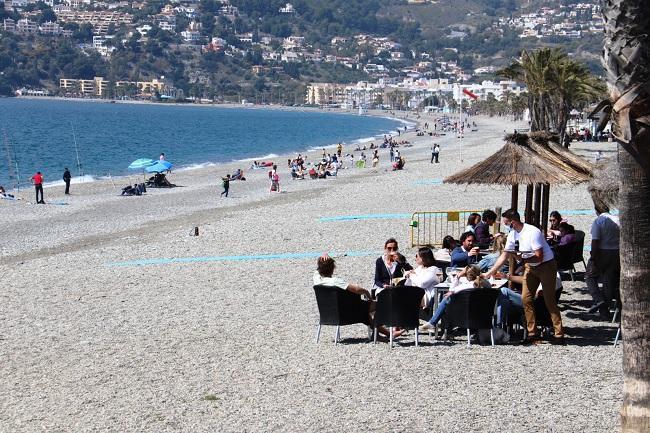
column 429, row 228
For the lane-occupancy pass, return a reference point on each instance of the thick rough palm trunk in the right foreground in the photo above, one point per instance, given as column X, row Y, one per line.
column 627, row 60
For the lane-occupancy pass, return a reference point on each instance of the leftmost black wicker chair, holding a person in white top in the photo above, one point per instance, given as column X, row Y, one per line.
column 339, row 308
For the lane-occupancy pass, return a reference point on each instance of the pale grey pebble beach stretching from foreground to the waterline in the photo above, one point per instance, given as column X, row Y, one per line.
column 115, row 319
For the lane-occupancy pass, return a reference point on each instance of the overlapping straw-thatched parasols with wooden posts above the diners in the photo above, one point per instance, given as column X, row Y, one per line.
column 535, row 160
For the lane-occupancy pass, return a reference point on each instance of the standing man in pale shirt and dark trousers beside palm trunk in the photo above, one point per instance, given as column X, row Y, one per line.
column 604, row 263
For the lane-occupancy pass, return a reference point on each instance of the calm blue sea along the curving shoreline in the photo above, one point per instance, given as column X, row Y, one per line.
column 46, row 135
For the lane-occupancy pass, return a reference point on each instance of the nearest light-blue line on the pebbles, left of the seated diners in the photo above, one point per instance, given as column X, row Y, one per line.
column 283, row 256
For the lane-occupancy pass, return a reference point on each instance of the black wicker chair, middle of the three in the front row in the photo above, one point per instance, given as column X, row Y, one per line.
column 399, row 307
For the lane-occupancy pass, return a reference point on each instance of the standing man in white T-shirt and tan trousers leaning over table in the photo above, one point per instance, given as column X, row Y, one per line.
column 528, row 243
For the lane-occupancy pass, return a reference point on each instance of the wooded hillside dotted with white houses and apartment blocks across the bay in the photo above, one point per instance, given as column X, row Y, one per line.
column 299, row 52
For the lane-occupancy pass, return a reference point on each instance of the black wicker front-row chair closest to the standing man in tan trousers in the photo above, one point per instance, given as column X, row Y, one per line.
column 472, row 309
